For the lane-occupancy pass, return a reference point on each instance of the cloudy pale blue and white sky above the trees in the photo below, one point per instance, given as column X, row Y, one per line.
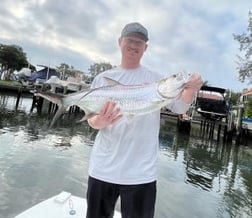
column 190, row 36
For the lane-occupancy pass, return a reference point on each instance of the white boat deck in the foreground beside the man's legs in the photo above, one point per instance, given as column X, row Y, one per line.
column 63, row 205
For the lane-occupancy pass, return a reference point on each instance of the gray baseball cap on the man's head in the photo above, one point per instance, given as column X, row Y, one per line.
column 135, row 28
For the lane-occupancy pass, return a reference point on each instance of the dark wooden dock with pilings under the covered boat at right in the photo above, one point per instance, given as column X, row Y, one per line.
column 230, row 129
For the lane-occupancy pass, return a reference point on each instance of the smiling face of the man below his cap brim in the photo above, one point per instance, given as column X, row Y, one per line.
column 132, row 47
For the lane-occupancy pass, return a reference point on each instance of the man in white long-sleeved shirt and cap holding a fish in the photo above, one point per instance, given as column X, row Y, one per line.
column 125, row 152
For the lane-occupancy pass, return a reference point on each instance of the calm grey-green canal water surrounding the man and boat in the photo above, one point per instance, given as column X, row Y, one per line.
column 198, row 178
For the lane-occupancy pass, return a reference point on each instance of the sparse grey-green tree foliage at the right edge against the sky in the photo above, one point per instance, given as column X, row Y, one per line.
column 245, row 63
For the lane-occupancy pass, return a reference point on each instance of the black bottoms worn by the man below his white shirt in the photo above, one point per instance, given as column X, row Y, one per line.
column 137, row 201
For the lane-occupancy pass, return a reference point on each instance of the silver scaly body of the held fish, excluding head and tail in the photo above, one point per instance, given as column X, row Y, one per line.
column 137, row 99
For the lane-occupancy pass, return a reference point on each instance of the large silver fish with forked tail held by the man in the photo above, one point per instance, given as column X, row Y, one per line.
column 131, row 99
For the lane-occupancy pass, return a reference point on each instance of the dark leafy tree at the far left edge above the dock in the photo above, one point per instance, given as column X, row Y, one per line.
column 12, row 57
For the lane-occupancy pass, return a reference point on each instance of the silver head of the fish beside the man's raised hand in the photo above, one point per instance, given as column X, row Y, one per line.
column 172, row 86
